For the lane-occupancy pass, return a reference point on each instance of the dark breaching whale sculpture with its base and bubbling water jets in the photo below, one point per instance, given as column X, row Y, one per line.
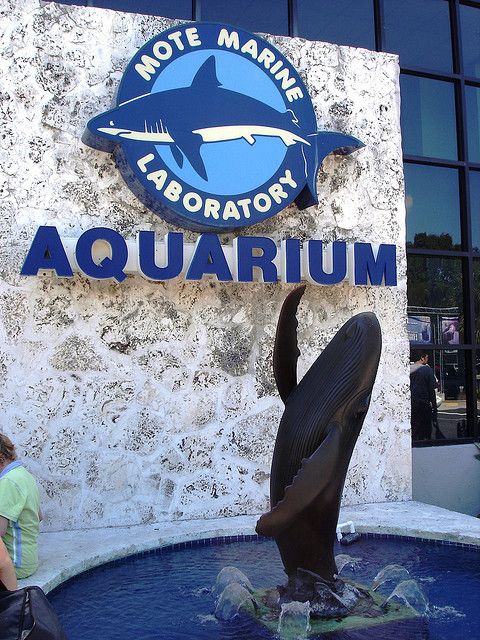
column 323, row 416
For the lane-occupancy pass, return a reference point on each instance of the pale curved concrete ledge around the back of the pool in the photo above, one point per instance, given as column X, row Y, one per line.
column 64, row 554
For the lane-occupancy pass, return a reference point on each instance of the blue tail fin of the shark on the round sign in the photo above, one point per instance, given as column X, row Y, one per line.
column 323, row 143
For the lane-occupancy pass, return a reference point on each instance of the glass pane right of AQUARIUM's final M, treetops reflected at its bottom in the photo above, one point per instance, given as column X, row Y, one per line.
column 433, row 207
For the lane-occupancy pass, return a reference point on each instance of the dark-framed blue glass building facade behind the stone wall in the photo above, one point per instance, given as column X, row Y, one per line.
column 438, row 42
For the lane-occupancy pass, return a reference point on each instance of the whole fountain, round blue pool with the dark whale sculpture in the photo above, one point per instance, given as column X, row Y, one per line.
column 335, row 596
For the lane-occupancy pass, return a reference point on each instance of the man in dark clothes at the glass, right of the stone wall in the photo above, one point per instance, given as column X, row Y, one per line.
column 422, row 389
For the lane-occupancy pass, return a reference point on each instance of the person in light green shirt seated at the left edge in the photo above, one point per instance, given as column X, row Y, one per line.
column 19, row 511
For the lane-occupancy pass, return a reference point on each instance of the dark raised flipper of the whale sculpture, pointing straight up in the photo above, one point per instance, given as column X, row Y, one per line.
column 285, row 351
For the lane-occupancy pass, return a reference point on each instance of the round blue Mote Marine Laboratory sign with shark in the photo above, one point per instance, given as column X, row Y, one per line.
column 213, row 129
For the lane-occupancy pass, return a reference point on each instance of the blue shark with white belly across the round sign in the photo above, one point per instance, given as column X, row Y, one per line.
column 205, row 112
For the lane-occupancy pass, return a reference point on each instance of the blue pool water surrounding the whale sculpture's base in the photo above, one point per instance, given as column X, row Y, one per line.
column 165, row 594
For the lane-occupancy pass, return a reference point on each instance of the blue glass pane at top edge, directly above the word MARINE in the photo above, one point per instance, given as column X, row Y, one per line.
column 269, row 16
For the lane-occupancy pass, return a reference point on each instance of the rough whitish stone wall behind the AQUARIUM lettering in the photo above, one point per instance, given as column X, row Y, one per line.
column 143, row 401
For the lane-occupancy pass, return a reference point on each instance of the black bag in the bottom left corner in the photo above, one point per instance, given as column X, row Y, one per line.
column 26, row 614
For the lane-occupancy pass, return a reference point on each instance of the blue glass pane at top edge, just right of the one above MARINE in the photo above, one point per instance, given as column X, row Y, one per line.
column 348, row 22
